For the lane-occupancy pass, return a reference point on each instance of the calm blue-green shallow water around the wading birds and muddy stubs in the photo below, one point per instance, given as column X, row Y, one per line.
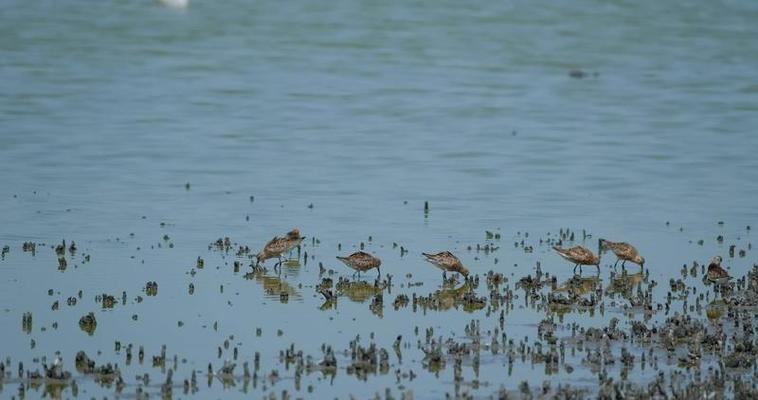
column 363, row 111
